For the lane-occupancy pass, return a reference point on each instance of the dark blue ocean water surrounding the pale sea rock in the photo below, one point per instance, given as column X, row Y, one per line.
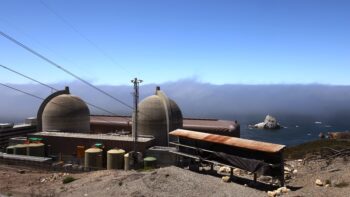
column 297, row 129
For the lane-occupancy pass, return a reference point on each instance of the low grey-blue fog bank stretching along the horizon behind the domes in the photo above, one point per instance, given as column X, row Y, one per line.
column 314, row 102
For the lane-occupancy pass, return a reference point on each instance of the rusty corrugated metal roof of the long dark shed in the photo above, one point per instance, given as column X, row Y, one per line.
column 229, row 141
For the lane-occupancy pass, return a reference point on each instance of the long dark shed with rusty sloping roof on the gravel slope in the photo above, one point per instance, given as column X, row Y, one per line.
column 254, row 156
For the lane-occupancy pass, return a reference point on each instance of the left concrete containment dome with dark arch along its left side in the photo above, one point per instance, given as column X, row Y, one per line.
column 66, row 113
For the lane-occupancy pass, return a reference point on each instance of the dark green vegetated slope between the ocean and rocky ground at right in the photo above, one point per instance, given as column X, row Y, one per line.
column 302, row 150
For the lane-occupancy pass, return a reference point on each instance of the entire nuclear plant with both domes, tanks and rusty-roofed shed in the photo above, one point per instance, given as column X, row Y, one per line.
column 157, row 134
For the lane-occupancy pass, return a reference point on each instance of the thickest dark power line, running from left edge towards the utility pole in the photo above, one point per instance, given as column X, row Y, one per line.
column 61, row 68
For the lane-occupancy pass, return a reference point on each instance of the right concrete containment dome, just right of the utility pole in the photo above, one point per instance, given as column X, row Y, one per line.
column 158, row 115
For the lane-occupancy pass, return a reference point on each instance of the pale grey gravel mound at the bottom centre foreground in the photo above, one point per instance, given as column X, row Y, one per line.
column 170, row 181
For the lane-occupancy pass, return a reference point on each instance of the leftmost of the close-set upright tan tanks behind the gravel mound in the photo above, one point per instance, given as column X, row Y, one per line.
column 93, row 158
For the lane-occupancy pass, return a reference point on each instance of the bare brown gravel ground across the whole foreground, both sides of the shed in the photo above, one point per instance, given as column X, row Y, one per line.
column 169, row 181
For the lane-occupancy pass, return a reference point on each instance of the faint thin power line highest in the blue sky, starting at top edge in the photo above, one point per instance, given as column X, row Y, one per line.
column 72, row 27
